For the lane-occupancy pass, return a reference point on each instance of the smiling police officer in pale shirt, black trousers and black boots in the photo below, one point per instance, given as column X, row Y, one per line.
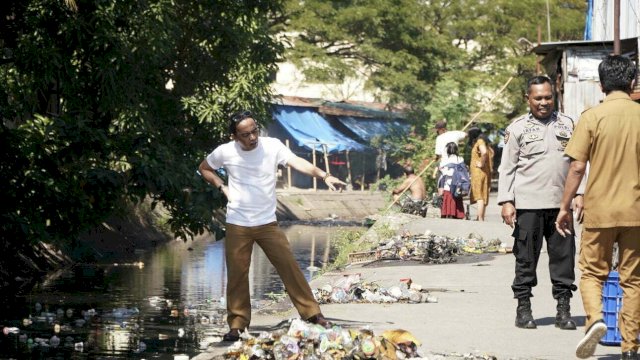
column 530, row 188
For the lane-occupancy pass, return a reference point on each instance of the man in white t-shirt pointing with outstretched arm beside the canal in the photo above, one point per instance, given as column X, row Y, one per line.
column 251, row 163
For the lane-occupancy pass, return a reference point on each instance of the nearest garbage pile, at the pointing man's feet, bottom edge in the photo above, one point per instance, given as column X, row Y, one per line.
column 306, row 341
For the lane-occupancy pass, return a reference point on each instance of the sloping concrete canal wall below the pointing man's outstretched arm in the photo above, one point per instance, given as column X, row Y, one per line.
column 303, row 204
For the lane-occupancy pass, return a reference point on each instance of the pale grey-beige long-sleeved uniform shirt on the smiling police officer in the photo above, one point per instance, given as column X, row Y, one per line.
column 533, row 168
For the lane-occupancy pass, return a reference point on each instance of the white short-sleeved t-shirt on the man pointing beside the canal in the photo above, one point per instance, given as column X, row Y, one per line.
column 252, row 179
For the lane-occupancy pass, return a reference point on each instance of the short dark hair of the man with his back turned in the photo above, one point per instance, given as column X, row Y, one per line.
column 616, row 73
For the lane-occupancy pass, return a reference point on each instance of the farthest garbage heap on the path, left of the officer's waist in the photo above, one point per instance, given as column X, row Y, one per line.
column 433, row 249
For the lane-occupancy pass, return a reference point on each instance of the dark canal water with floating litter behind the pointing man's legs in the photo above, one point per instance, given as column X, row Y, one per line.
column 166, row 303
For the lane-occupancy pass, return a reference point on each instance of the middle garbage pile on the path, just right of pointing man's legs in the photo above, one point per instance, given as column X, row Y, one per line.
column 351, row 288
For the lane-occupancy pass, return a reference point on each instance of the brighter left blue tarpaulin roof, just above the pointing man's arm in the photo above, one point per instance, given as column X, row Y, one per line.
column 308, row 128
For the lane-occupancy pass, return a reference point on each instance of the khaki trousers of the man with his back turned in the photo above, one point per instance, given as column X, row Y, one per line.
column 596, row 251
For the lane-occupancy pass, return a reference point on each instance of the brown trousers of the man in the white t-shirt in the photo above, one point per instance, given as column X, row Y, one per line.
column 238, row 246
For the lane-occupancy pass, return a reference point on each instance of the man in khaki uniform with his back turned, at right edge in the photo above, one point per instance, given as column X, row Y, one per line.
column 608, row 137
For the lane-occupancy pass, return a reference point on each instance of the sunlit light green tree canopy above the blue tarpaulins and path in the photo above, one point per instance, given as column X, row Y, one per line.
column 441, row 59
